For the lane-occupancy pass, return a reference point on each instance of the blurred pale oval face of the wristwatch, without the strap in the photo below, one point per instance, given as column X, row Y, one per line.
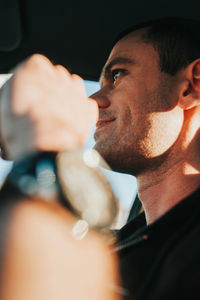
column 86, row 187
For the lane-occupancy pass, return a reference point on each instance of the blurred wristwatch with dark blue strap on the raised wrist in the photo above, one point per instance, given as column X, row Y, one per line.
column 75, row 178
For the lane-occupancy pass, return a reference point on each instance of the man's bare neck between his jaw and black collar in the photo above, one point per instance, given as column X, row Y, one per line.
column 160, row 191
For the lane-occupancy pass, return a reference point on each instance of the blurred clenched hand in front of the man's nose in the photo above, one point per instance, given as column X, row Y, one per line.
column 54, row 101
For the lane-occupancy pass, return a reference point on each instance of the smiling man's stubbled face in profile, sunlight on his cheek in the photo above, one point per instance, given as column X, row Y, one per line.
column 138, row 117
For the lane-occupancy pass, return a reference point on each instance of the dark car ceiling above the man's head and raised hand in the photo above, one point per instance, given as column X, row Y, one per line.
column 76, row 34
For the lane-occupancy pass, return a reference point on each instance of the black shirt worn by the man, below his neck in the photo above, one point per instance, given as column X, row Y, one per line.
column 162, row 260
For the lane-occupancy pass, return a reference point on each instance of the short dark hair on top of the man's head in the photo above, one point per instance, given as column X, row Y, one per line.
column 177, row 41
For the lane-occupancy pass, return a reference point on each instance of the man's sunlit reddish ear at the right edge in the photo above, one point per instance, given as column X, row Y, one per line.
column 189, row 96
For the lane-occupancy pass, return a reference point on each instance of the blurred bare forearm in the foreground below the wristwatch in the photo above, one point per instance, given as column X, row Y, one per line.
column 44, row 261
